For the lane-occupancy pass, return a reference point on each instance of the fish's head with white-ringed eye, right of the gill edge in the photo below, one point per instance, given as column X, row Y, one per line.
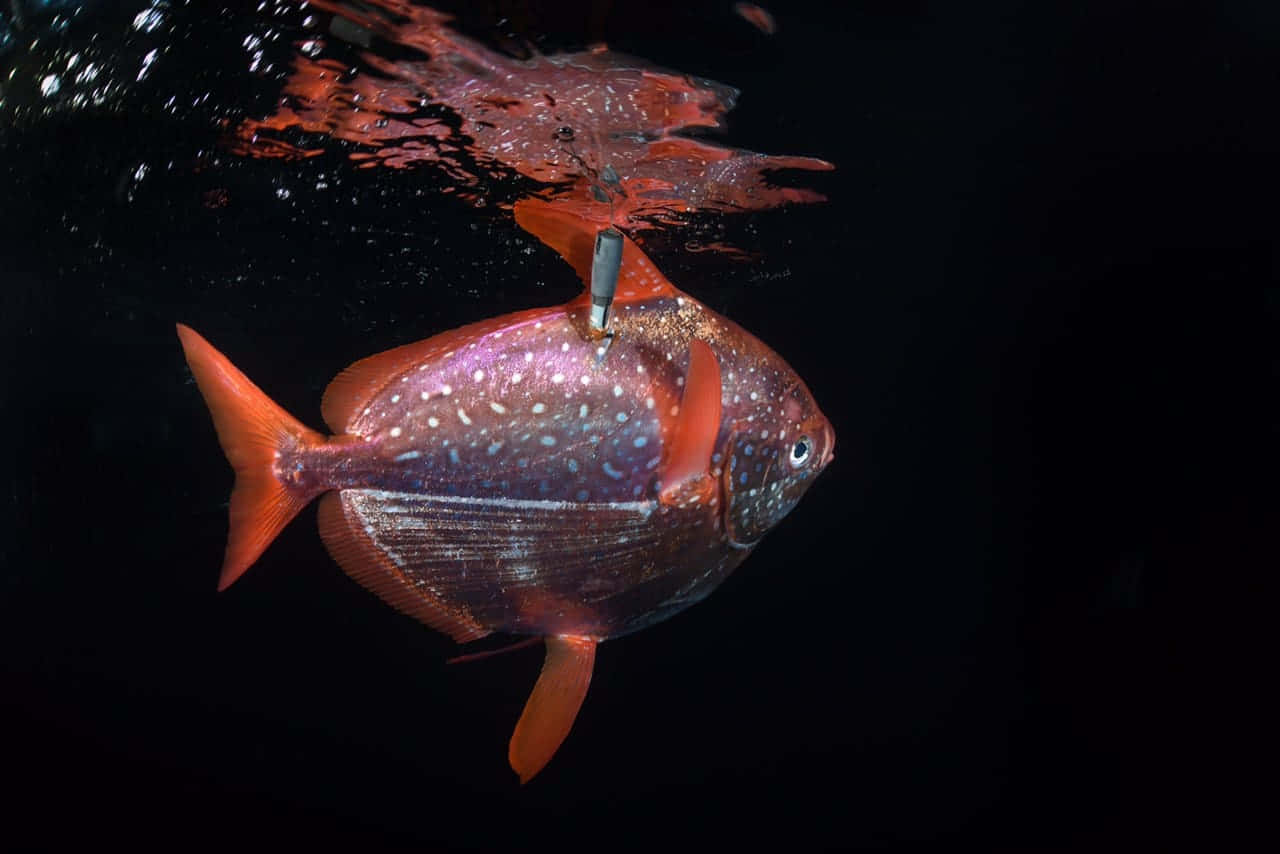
column 771, row 462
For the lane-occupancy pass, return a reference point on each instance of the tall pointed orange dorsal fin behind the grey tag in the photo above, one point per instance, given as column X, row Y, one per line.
column 574, row 239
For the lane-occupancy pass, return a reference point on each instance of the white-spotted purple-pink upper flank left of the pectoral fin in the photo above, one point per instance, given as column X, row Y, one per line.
column 531, row 412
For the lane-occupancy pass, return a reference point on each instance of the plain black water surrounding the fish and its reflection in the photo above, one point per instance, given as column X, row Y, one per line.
column 1022, row 609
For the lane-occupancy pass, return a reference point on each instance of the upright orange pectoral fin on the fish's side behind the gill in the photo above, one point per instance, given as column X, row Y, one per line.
column 687, row 477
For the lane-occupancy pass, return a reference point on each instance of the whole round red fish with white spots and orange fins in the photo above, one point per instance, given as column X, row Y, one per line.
column 528, row 476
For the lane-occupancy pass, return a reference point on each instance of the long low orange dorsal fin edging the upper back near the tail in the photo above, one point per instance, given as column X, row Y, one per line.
column 353, row 390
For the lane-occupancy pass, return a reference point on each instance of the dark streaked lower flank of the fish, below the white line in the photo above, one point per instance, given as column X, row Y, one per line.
column 528, row 568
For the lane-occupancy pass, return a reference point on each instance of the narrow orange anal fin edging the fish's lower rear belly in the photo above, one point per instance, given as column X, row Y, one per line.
column 359, row 558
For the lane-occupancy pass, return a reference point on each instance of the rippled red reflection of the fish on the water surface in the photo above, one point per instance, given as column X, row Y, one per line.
column 597, row 134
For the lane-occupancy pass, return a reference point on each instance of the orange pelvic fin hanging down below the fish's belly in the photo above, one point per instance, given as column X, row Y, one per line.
column 552, row 707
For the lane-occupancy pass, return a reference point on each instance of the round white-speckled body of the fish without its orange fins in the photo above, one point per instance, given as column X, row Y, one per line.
column 532, row 413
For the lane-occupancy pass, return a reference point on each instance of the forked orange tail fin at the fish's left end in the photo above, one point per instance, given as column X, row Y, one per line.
column 253, row 431
